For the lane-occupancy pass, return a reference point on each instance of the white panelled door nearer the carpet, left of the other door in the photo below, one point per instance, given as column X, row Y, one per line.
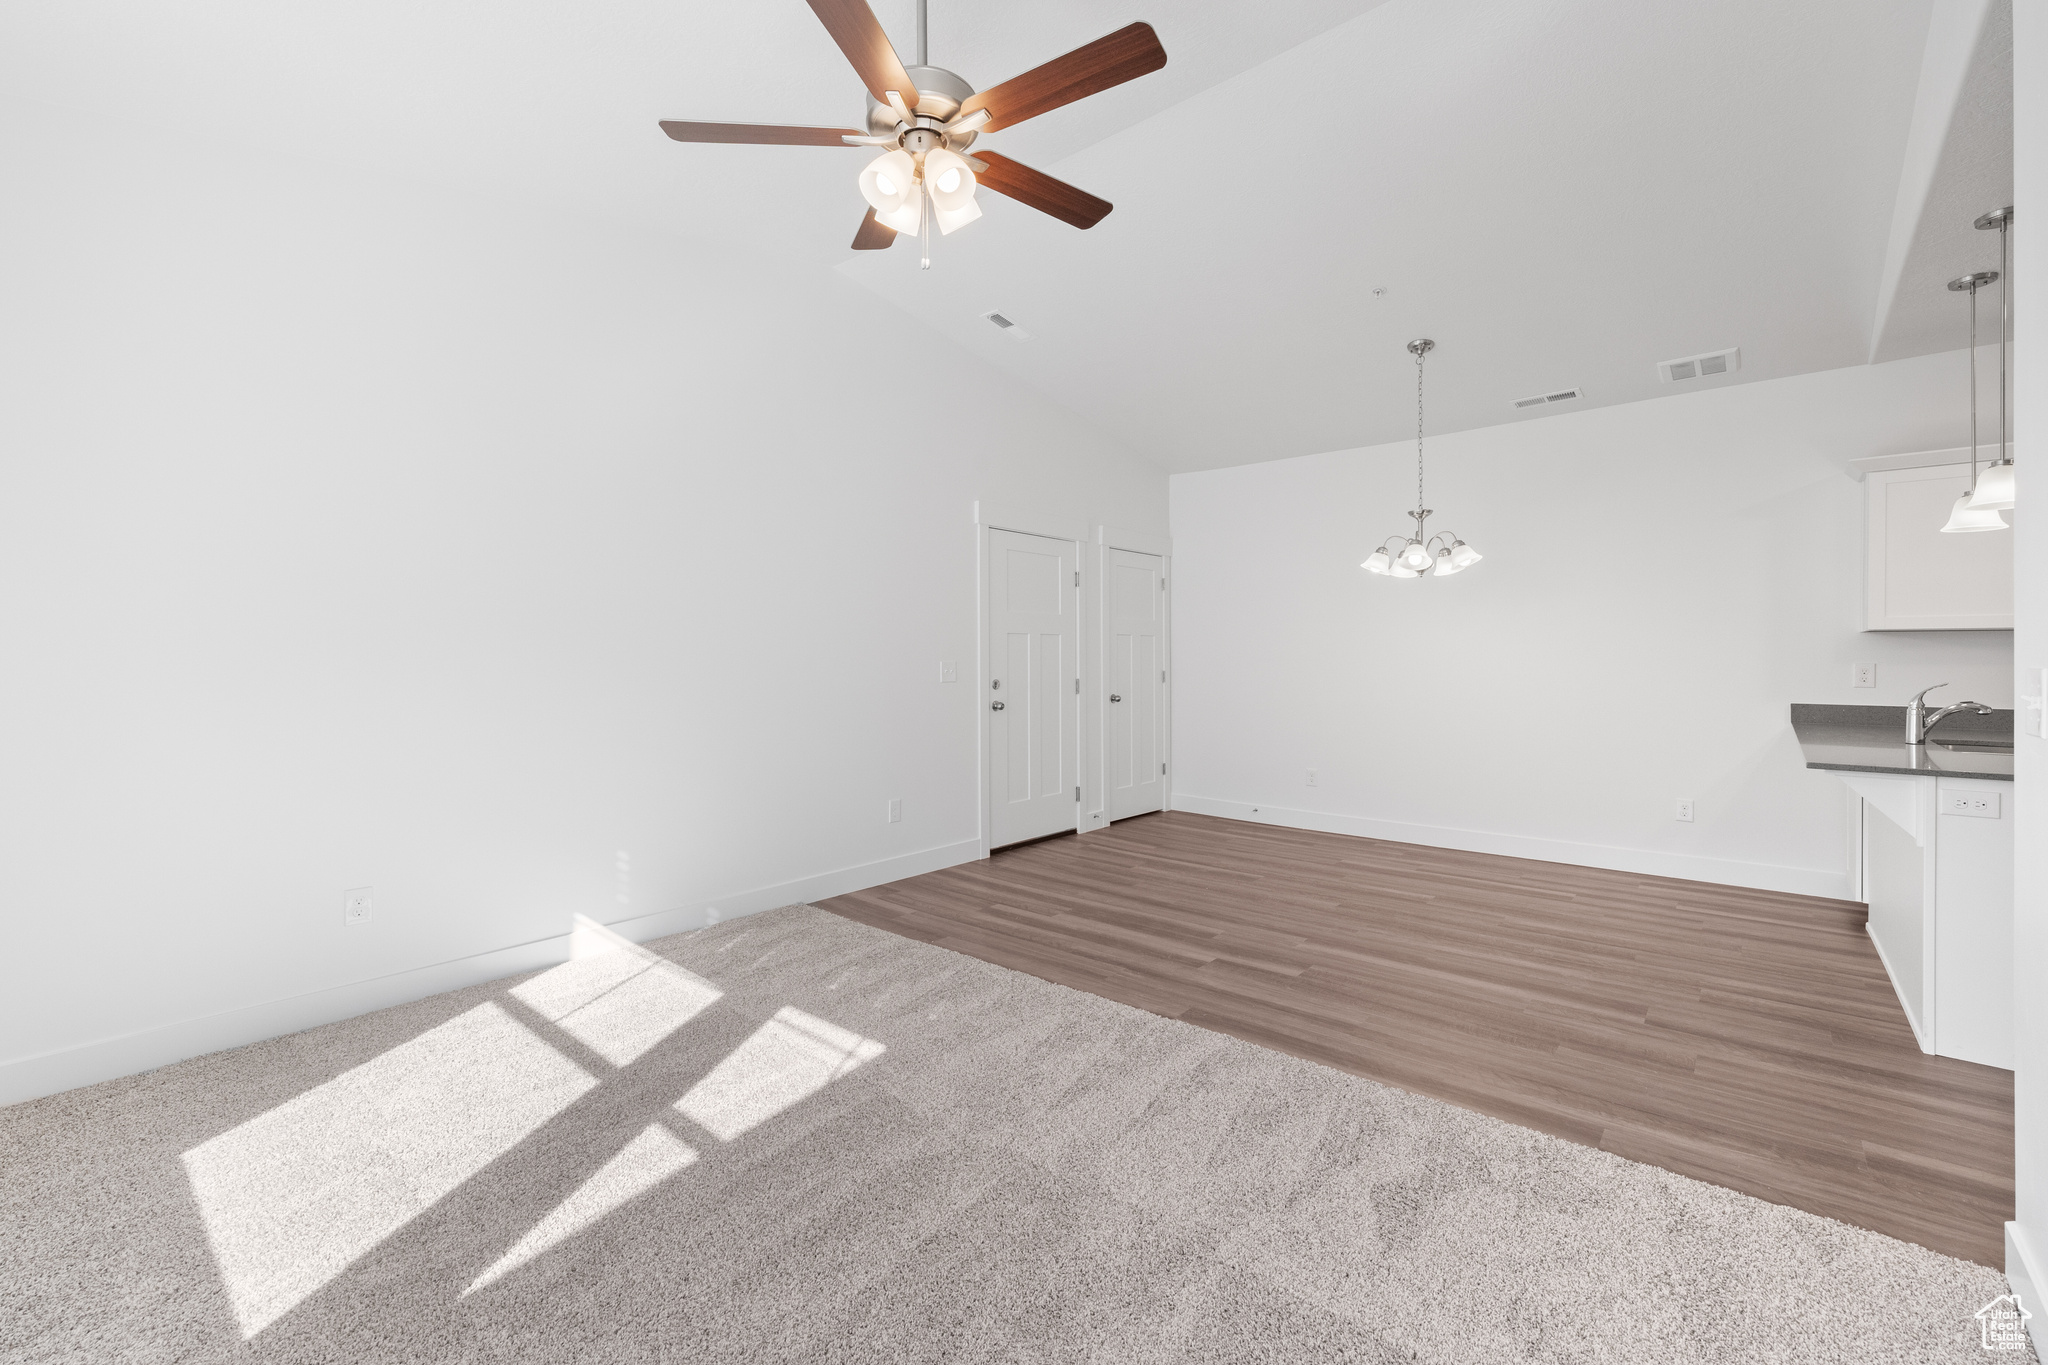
column 1031, row 693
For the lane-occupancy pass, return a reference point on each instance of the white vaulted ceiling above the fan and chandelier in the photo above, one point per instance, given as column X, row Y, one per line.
column 1558, row 191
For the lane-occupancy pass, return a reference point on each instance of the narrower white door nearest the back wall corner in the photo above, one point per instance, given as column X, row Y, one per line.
column 1138, row 680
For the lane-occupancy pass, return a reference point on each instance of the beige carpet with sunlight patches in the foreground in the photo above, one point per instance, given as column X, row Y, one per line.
column 798, row 1139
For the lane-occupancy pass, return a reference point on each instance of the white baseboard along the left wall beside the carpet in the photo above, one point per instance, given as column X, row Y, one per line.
column 173, row 1043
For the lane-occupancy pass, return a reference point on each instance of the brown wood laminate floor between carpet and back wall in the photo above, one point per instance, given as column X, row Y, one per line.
column 1738, row 1037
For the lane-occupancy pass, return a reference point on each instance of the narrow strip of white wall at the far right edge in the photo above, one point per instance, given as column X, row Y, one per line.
column 2026, row 1249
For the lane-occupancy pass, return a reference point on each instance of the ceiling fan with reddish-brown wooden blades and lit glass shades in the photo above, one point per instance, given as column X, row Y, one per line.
column 927, row 118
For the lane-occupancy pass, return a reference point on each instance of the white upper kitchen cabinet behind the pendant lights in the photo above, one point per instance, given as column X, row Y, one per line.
column 1920, row 578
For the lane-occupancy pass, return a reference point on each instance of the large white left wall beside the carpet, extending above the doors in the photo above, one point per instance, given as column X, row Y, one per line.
column 357, row 535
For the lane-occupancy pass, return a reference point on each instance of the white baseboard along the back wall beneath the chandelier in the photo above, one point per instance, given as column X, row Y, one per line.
column 1646, row 863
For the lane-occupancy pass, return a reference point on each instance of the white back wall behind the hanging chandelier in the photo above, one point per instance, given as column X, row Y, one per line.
column 1662, row 582
